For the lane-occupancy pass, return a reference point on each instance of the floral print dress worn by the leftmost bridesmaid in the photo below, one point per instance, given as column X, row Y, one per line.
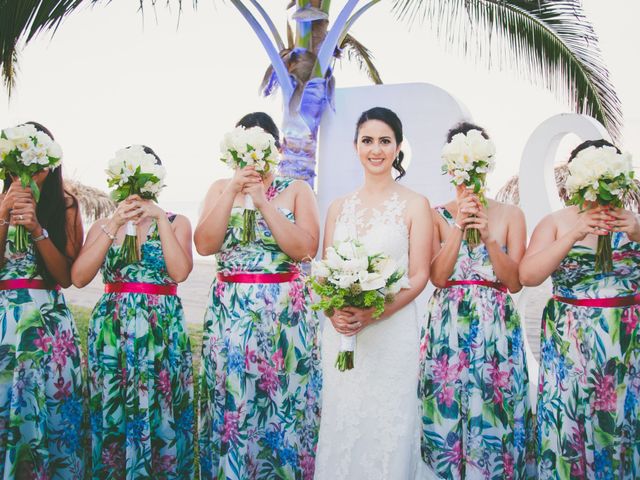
column 43, row 430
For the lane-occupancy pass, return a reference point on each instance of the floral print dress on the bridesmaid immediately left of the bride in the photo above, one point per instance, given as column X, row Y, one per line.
column 261, row 379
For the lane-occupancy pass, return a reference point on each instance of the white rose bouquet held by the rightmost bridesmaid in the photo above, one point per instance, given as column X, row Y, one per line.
column 603, row 176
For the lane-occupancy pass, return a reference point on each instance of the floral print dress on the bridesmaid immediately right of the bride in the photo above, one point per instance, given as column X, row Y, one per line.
column 476, row 417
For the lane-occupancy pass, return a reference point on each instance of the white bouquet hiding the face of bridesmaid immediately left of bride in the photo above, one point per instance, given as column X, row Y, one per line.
column 244, row 147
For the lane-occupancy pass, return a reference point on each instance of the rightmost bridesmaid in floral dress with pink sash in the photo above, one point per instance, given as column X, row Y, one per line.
column 588, row 412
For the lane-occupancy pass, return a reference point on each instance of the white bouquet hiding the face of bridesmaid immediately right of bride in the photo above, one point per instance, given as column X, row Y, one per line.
column 468, row 157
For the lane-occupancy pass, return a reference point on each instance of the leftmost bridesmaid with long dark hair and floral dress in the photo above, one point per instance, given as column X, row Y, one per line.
column 42, row 404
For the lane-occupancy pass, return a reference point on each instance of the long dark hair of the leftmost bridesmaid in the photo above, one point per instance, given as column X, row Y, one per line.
column 51, row 210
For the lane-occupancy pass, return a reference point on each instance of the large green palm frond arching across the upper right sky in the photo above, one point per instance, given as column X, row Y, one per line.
column 548, row 41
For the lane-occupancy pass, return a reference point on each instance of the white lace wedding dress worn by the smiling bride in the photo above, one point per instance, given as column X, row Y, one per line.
column 370, row 422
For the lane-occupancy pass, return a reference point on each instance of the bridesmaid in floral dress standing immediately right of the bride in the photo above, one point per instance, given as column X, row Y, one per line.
column 474, row 385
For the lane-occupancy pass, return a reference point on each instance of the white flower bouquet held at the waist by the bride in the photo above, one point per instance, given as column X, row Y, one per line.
column 352, row 277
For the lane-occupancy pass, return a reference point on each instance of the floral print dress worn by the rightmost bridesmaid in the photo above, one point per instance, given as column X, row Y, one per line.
column 588, row 410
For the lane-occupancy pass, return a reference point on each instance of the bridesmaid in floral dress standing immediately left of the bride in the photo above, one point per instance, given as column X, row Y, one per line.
column 261, row 377
